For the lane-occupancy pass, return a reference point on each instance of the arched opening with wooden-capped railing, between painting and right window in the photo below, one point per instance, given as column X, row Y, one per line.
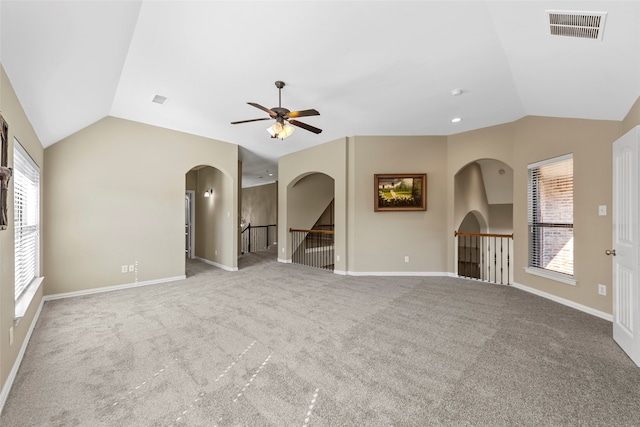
column 483, row 208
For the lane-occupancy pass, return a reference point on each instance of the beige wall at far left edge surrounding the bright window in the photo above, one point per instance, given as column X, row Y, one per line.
column 19, row 128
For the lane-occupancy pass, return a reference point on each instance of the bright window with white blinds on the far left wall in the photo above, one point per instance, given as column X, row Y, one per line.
column 26, row 202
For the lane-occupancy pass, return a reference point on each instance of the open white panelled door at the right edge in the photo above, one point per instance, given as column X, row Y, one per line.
column 626, row 301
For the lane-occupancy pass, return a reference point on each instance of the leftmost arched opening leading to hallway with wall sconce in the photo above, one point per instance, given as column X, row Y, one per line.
column 209, row 233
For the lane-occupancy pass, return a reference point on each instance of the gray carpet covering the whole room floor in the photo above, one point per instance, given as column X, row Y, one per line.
column 285, row 345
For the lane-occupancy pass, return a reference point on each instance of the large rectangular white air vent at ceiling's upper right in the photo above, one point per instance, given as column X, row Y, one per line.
column 584, row 25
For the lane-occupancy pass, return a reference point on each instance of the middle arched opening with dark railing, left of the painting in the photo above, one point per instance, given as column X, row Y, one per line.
column 310, row 217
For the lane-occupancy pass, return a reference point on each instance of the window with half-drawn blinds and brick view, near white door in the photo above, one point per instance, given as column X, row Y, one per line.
column 551, row 218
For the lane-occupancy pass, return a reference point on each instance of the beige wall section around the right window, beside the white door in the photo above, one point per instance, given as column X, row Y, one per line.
column 538, row 138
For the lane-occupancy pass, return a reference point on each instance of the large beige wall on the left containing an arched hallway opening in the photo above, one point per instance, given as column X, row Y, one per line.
column 114, row 195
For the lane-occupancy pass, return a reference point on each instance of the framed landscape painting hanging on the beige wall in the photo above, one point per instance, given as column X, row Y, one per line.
column 400, row 192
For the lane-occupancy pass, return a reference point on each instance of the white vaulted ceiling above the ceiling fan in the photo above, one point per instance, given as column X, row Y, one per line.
column 369, row 67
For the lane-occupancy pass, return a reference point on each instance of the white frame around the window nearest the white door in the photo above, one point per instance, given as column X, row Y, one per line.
column 533, row 269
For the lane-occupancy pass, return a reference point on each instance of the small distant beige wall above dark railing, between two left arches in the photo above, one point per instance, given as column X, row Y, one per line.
column 260, row 204
